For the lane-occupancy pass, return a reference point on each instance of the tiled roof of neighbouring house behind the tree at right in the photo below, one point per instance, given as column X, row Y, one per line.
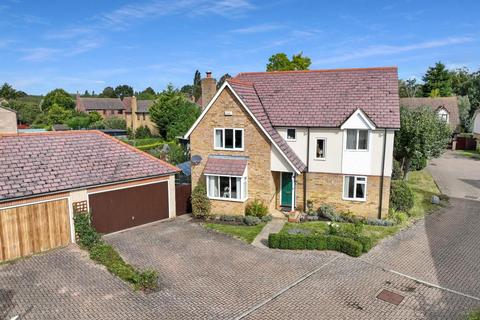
column 448, row 103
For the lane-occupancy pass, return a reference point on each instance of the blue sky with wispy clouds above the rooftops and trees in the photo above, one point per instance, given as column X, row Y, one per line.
column 80, row 45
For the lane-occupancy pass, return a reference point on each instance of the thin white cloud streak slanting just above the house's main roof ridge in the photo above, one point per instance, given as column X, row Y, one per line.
column 382, row 50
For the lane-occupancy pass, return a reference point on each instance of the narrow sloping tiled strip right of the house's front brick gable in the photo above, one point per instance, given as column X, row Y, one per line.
column 247, row 93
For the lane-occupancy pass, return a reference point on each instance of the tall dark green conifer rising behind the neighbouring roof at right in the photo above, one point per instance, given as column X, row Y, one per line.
column 437, row 81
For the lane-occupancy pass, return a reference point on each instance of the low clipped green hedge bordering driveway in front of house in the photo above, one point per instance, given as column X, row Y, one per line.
column 315, row 242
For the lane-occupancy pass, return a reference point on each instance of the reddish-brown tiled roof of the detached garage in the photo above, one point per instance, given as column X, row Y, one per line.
column 38, row 163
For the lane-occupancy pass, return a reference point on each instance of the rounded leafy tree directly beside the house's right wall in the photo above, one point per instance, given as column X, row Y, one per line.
column 422, row 135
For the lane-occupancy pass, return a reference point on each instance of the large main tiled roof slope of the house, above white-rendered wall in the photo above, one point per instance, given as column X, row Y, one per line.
column 325, row 98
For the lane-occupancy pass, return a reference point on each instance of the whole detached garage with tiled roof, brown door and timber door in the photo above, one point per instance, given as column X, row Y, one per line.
column 46, row 177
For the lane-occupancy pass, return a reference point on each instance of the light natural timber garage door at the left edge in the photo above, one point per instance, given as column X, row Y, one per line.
column 33, row 228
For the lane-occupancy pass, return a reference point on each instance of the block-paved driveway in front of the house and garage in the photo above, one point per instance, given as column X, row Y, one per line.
column 205, row 275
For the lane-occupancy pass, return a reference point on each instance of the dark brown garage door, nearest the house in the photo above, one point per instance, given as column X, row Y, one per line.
column 125, row 208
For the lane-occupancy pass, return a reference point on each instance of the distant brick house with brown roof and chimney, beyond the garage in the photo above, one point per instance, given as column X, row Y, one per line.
column 135, row 112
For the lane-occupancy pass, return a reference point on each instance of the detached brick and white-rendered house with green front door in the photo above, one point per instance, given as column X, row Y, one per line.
column 288, row 137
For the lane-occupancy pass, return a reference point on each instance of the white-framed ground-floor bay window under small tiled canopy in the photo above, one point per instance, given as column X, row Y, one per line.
column 227, row 187
